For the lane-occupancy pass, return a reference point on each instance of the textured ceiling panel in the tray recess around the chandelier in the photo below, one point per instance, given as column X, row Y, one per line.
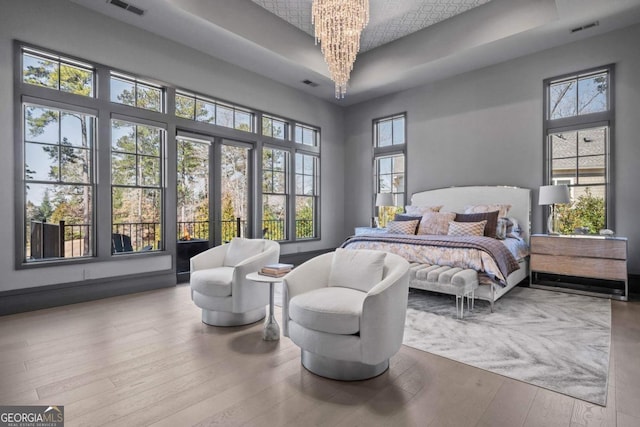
column 389, row 19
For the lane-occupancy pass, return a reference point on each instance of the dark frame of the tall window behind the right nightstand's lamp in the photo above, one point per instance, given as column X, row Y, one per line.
column 581, row 122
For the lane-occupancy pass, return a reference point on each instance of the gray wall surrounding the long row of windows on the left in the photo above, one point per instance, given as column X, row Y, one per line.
column 68, row 28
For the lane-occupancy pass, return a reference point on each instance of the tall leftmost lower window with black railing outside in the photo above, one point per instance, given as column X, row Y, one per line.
column 58, row 176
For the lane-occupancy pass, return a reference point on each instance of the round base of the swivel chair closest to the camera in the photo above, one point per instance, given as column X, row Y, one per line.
column 341, row 370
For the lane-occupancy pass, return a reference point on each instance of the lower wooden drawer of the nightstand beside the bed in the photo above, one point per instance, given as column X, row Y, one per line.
column 600, row 268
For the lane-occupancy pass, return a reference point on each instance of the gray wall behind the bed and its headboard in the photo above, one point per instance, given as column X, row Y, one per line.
column 485, row 127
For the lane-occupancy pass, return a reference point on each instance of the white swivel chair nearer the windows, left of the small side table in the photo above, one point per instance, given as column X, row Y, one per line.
column 219, row 285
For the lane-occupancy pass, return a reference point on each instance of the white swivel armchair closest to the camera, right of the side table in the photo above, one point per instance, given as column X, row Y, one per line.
column 346, row 311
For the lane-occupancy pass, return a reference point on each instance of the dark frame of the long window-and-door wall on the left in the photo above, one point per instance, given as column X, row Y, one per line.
column 101, row 107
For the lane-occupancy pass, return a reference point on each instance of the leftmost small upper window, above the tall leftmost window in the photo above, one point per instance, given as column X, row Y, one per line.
column 55, row 72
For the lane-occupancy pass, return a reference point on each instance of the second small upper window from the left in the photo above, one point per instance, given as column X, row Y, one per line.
column 130, row 91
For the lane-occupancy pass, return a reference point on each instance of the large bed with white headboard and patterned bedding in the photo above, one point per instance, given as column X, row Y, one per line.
column 495, row 280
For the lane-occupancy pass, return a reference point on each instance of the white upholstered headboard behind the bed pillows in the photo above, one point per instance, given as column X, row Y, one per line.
column 454, row 199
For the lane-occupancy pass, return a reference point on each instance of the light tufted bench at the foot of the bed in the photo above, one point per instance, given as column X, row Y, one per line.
column 461, row 282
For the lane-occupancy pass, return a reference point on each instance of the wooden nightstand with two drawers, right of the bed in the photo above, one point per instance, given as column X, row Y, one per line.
column 590, row 265
